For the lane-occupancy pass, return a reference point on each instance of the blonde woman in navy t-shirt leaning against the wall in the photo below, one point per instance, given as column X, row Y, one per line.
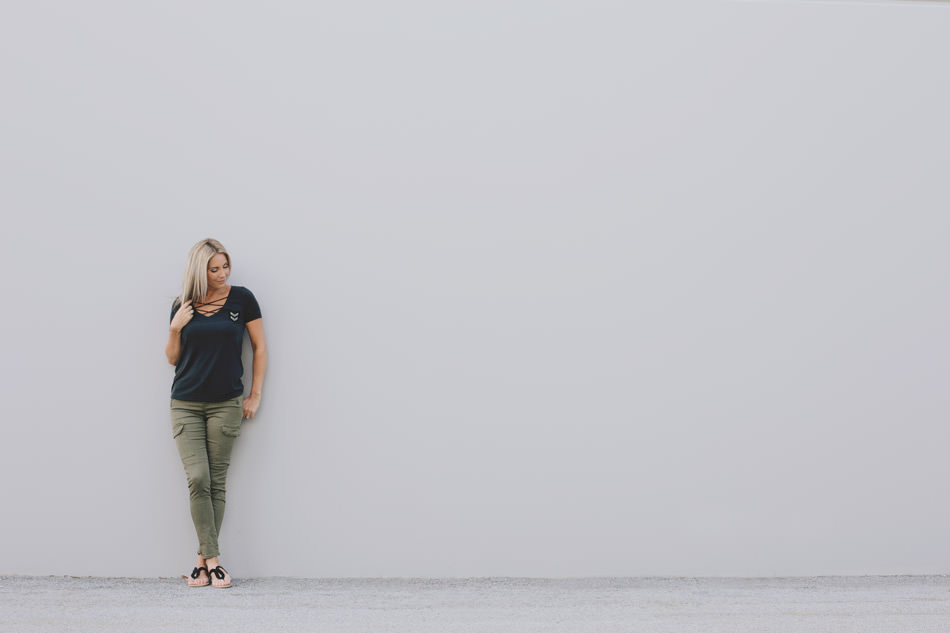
column 204, row 344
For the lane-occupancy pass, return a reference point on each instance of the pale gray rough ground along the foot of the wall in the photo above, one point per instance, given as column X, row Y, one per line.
column 865, row 604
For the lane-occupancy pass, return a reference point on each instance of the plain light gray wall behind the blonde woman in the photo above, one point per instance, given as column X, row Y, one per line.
column 550, row 288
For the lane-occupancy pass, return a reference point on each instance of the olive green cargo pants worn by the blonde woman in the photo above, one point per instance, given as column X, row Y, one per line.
column 205, row 433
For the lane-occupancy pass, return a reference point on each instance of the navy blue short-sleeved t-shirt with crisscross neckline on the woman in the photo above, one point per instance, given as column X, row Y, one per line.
column 209, row 365
